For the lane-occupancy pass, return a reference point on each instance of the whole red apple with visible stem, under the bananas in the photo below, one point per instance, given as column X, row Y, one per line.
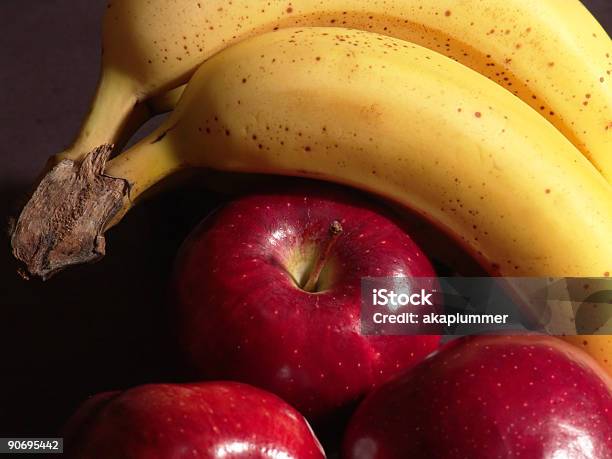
column 268, row 294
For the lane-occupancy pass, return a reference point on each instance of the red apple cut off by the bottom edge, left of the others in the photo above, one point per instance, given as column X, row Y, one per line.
column 199, row 421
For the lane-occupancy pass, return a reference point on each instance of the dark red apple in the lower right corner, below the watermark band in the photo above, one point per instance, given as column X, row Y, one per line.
column 526, row 397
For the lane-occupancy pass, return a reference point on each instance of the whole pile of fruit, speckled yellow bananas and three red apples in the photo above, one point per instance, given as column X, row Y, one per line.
column 490, row 120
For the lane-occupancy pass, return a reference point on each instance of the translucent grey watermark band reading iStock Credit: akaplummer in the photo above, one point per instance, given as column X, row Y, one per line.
column 491, row 305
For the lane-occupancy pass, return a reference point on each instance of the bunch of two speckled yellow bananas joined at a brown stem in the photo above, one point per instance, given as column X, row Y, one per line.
column 360, row 108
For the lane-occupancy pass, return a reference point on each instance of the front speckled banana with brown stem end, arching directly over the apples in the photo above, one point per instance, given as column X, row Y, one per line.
column 366, row 110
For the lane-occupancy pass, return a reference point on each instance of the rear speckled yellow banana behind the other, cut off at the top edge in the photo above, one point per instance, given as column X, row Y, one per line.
column 552, row 53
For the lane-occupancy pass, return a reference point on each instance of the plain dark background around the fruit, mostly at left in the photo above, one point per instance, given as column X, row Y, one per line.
column 103, row 326
